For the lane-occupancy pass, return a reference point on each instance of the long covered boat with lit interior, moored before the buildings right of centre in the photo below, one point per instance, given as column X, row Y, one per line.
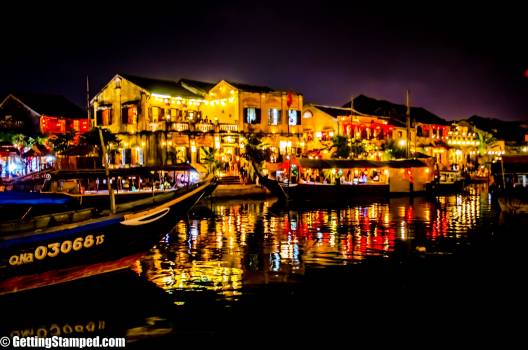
column 346, row 180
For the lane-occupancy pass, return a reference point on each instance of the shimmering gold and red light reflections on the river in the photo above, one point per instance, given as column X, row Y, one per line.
column 253, row 243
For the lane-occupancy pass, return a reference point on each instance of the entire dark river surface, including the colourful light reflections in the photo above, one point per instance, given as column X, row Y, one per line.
column 403, row 270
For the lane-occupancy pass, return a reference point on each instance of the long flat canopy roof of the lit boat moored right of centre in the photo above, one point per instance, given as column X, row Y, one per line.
column 347, row 163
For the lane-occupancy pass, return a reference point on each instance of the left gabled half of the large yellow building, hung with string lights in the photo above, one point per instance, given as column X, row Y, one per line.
column 157, row 121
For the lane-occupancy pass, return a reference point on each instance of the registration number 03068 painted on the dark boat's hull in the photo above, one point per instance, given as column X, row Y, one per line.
column 52, row 250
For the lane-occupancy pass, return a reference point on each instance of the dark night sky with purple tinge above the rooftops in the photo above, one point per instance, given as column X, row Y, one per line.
column 456, row 60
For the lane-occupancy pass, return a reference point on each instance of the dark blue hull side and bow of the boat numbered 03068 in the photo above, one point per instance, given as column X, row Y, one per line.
column 96, row 240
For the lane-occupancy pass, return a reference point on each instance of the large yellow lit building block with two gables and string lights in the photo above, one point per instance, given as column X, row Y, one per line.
column 162, row 122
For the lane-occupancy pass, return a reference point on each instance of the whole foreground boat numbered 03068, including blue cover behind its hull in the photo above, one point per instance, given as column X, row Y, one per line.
column 55, row 231
